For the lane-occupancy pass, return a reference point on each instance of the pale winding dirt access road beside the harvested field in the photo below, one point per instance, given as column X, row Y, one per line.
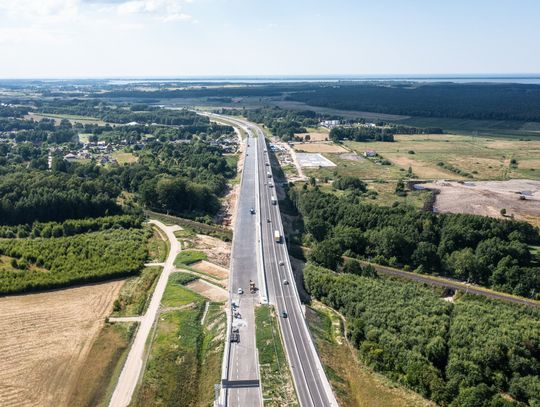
column 134, row 363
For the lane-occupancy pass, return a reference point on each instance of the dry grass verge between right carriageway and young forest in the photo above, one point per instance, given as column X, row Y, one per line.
column 353, row 383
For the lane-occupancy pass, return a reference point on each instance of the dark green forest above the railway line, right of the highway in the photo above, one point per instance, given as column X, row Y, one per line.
column 482, row 250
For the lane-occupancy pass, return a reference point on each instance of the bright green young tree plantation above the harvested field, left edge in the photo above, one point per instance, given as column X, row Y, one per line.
column 46, row 263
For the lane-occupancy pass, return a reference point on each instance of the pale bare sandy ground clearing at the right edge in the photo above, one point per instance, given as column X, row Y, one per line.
column 489, row 197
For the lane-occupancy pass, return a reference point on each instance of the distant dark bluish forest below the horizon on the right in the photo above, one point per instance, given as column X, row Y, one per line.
column 450, row 100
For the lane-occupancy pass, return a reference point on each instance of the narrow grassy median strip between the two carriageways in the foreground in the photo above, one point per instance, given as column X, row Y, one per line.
column 276, row 380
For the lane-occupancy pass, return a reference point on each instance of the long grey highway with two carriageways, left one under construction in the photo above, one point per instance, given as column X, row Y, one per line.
column 274, row 275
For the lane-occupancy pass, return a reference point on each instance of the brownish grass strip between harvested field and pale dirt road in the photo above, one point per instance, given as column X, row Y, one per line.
column 96, row 383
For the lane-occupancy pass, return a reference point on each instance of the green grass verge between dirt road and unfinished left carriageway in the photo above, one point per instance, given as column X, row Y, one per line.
column 185, row 355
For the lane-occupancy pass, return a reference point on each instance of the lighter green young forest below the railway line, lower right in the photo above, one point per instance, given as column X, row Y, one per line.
column 475, row 352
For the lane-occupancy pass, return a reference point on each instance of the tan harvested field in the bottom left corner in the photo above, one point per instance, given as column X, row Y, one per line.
column 45, row 339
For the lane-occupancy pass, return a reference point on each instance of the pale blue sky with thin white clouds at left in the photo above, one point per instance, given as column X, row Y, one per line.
column 190, row 38
